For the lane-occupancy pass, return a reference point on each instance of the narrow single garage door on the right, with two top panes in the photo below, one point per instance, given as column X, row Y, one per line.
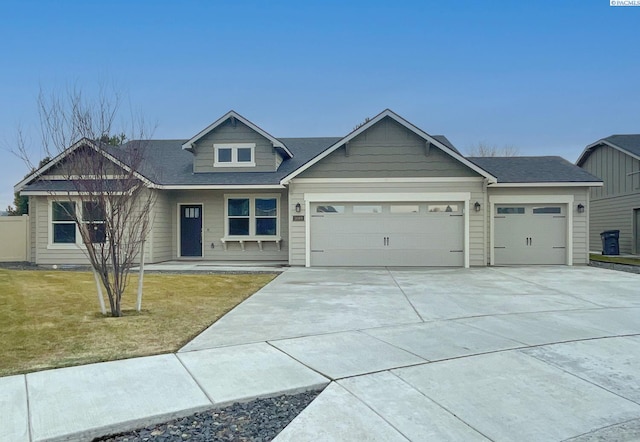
column 530, row 234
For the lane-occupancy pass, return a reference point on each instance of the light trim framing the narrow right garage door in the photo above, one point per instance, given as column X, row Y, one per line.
column 532, row 199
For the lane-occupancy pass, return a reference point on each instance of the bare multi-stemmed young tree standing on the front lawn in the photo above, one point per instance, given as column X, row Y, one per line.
column 96, row 186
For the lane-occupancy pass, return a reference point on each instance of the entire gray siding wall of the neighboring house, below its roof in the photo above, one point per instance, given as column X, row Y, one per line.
column 612, row 205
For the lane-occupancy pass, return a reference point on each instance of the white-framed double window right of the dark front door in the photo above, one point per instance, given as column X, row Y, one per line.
column 252, row 216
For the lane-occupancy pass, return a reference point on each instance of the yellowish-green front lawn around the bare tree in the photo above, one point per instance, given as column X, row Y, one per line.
column 51, row 319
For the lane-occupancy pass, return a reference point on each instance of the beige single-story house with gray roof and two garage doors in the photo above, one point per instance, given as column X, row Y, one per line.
column 386, row 194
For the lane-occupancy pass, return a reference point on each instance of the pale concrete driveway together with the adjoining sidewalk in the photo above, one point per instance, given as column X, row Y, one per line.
column 544, row 353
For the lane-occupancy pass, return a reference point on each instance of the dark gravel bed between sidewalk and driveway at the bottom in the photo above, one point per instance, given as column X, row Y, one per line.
column 257, row 421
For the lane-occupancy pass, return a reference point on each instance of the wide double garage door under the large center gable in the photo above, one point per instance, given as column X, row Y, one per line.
column 387, row 234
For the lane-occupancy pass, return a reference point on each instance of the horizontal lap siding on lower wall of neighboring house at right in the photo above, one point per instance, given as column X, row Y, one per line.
column 614, row 213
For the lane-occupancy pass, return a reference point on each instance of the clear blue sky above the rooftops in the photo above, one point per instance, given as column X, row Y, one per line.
column 547, row 77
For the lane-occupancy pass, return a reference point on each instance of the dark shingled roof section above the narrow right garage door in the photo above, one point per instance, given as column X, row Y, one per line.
column 530, row 170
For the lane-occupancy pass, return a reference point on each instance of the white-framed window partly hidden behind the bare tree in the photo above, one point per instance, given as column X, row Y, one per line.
column 63, row 229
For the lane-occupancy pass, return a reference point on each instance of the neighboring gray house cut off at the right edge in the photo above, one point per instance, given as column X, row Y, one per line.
column 616, row 205
